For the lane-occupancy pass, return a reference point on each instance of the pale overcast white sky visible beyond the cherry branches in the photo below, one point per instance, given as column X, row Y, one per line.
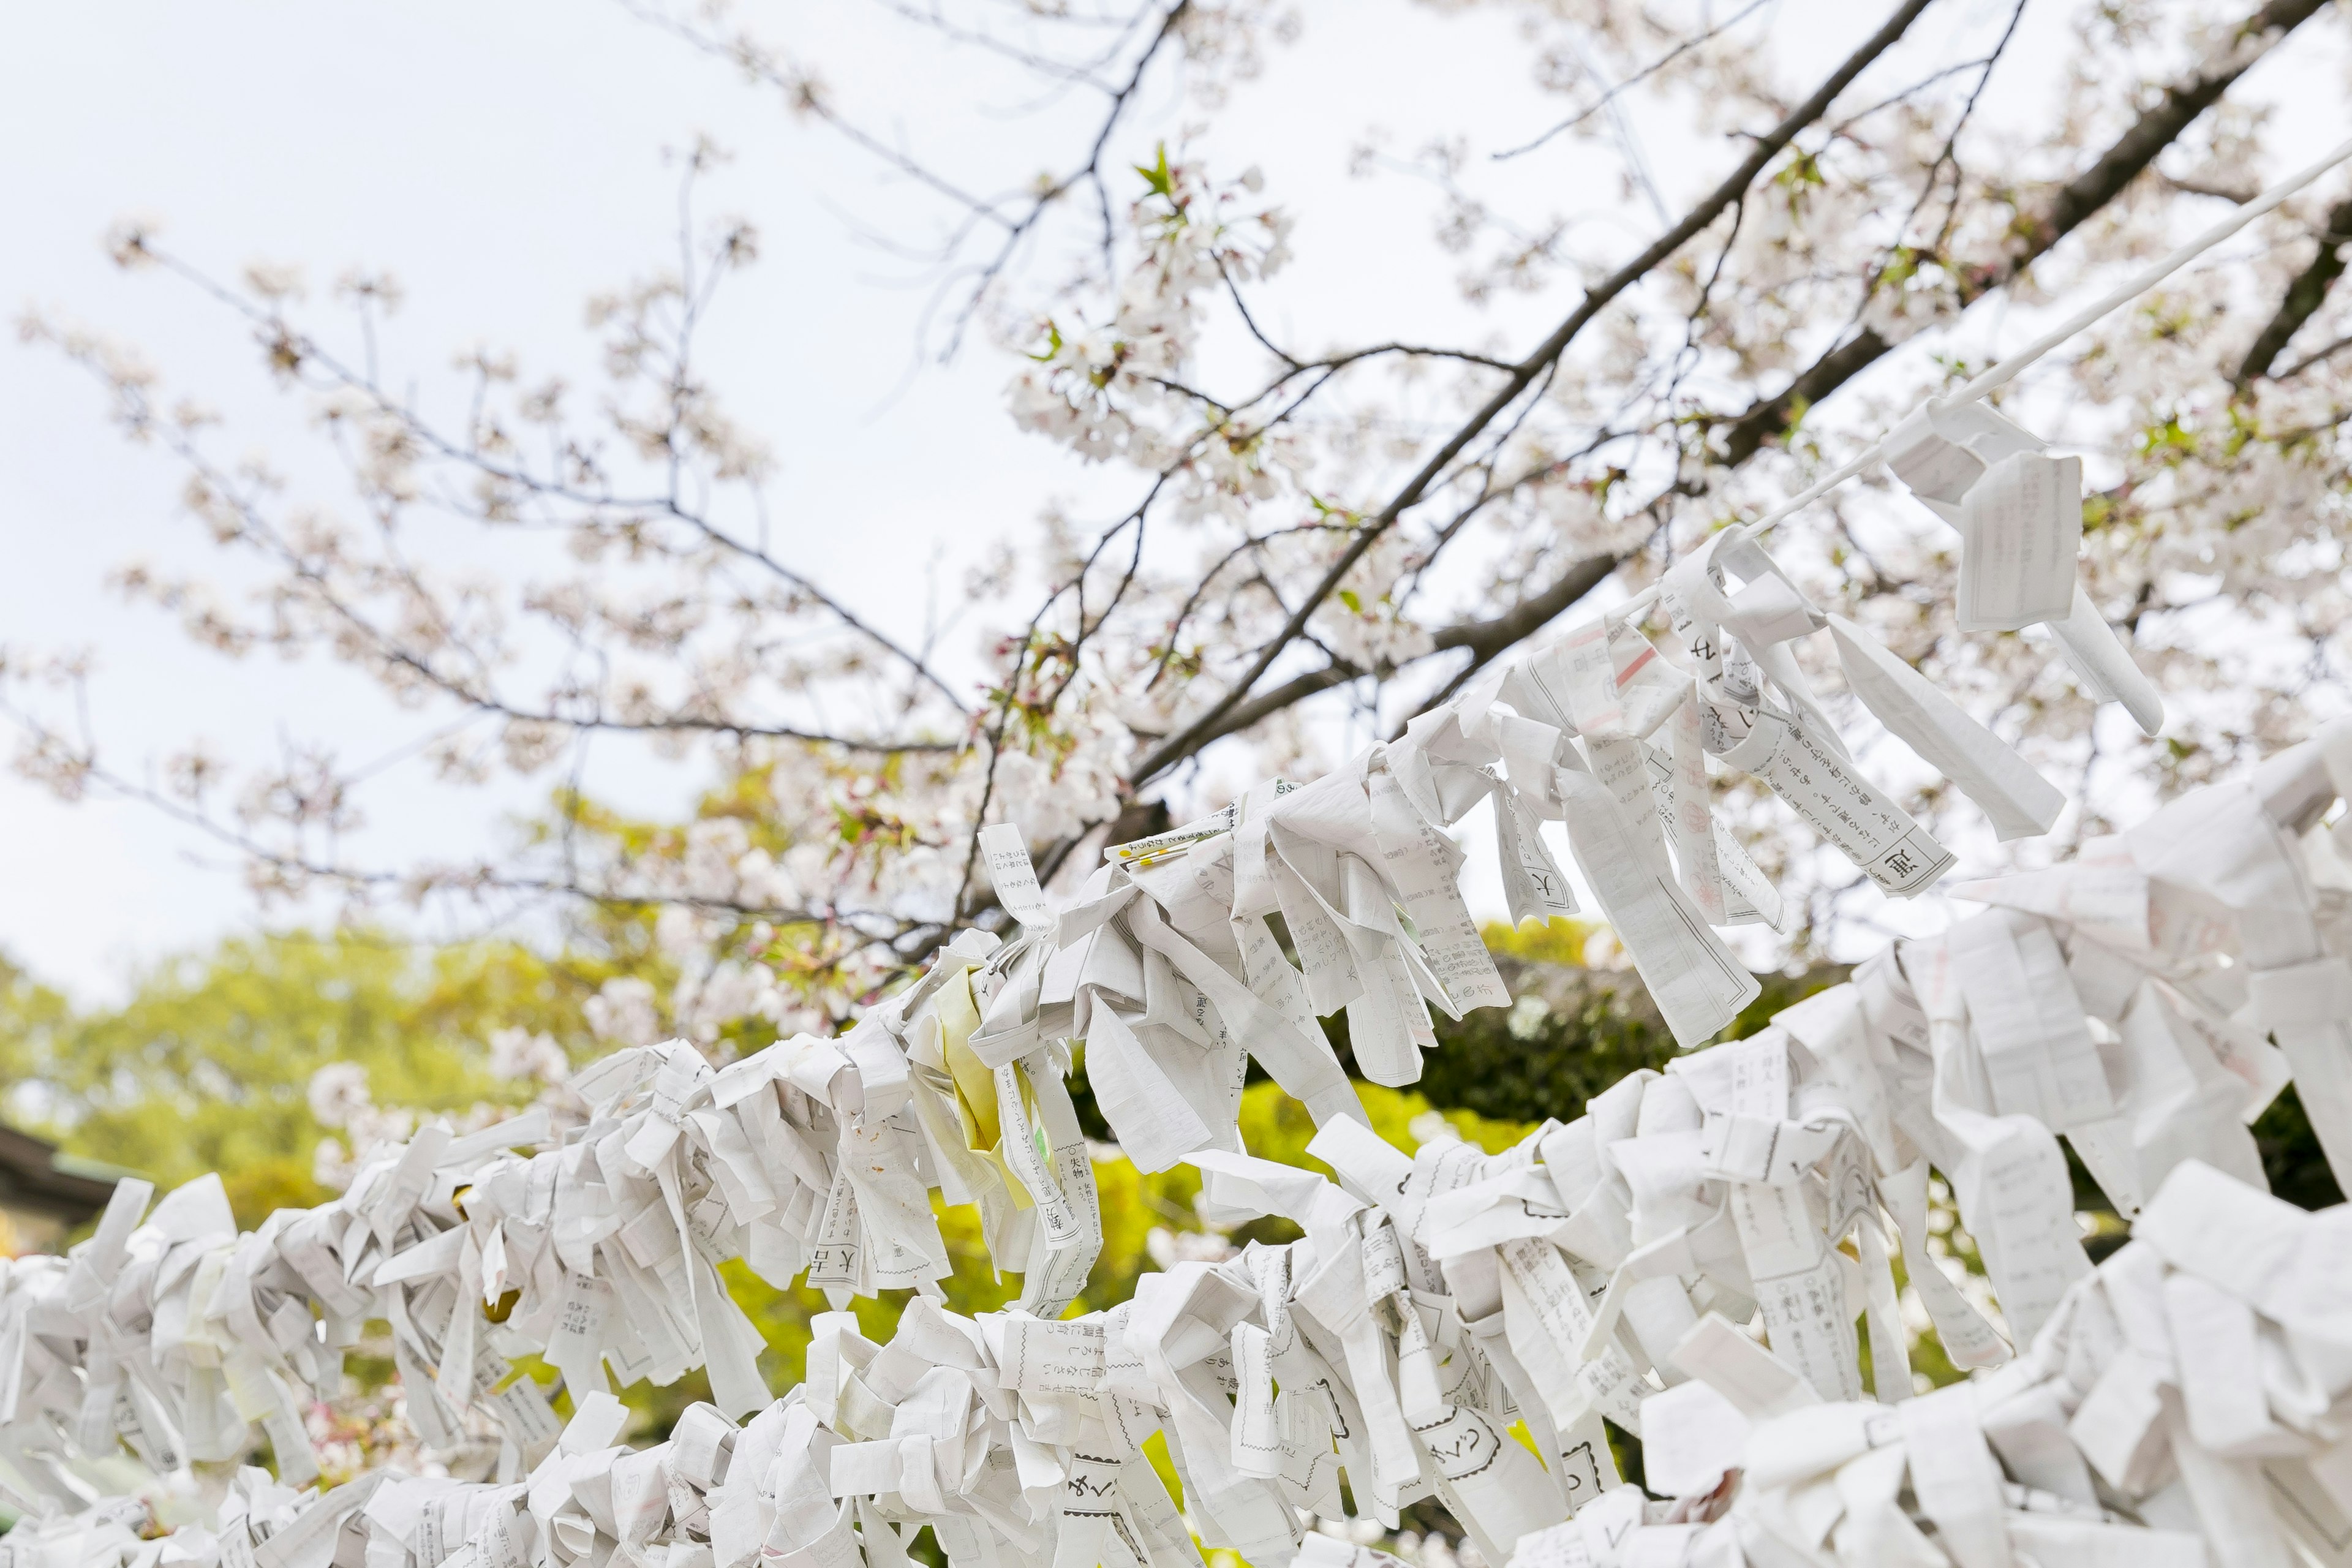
column 507, row 161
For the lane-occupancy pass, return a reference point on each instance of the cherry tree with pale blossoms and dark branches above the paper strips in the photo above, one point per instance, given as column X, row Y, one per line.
column 1321, row 540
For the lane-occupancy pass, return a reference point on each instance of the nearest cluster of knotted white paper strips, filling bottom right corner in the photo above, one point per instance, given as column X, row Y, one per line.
column 2184, row 1409
